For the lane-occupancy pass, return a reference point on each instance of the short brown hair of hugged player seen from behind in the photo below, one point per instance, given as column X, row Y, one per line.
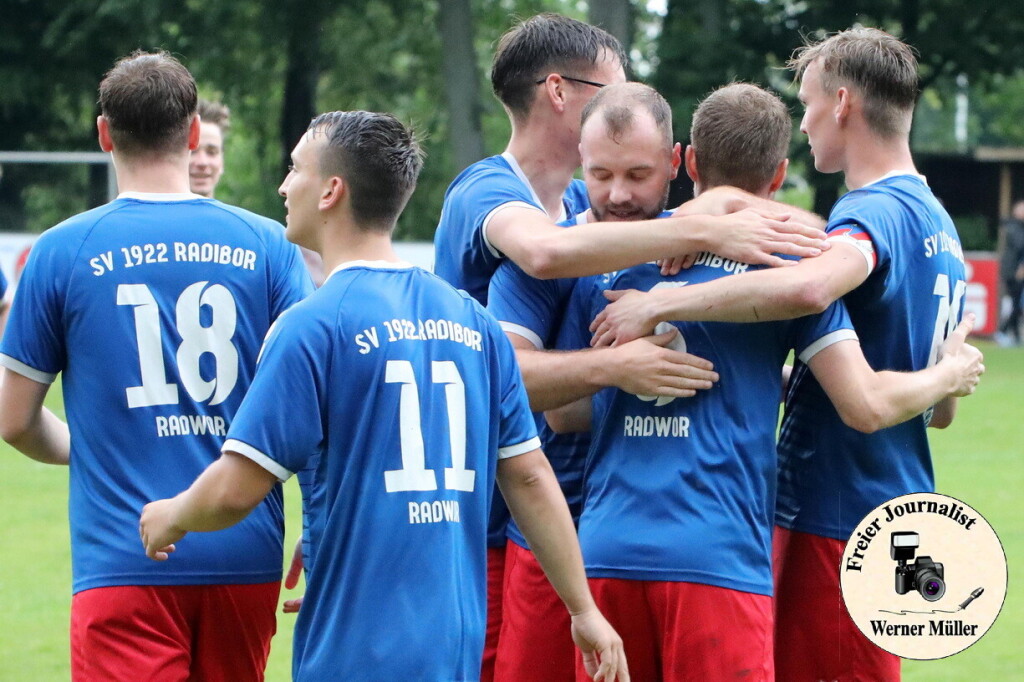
column 740, row 135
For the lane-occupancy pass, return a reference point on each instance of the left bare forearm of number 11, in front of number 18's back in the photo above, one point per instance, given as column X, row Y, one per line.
column 223, row 496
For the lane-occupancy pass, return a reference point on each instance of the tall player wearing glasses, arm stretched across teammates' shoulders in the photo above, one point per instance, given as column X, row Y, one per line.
column 544, row 71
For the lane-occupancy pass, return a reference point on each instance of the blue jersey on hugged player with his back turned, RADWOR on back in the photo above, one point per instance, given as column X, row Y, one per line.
column 684, row 490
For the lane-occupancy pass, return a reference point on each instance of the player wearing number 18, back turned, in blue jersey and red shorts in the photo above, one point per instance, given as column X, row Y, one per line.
column 153, row 309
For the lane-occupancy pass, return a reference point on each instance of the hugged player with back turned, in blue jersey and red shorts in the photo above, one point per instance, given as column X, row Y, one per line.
column 676, row 527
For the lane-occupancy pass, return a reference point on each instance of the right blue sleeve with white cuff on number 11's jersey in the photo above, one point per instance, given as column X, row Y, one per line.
column 518, row 434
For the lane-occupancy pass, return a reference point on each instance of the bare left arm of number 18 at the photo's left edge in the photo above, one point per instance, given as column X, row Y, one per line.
column 27, row 425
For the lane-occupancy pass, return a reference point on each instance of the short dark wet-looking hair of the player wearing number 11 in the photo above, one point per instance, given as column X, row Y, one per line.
column 379, row 159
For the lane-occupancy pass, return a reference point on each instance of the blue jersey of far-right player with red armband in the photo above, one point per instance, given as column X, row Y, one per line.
column 831, row 476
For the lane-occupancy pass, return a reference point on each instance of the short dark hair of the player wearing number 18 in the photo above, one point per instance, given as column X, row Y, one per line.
column 149, row 99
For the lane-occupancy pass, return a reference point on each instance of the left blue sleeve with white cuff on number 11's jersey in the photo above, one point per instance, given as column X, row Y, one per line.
column 280, row 423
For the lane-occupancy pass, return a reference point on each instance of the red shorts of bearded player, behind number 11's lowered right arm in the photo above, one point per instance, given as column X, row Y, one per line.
column 536, row 645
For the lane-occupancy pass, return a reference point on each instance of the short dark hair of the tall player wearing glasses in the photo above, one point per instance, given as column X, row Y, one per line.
column 545, row 45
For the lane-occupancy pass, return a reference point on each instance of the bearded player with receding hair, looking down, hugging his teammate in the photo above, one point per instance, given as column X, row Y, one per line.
column 627, row 173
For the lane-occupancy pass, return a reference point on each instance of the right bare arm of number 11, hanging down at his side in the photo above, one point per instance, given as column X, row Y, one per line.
column 537, row 503
